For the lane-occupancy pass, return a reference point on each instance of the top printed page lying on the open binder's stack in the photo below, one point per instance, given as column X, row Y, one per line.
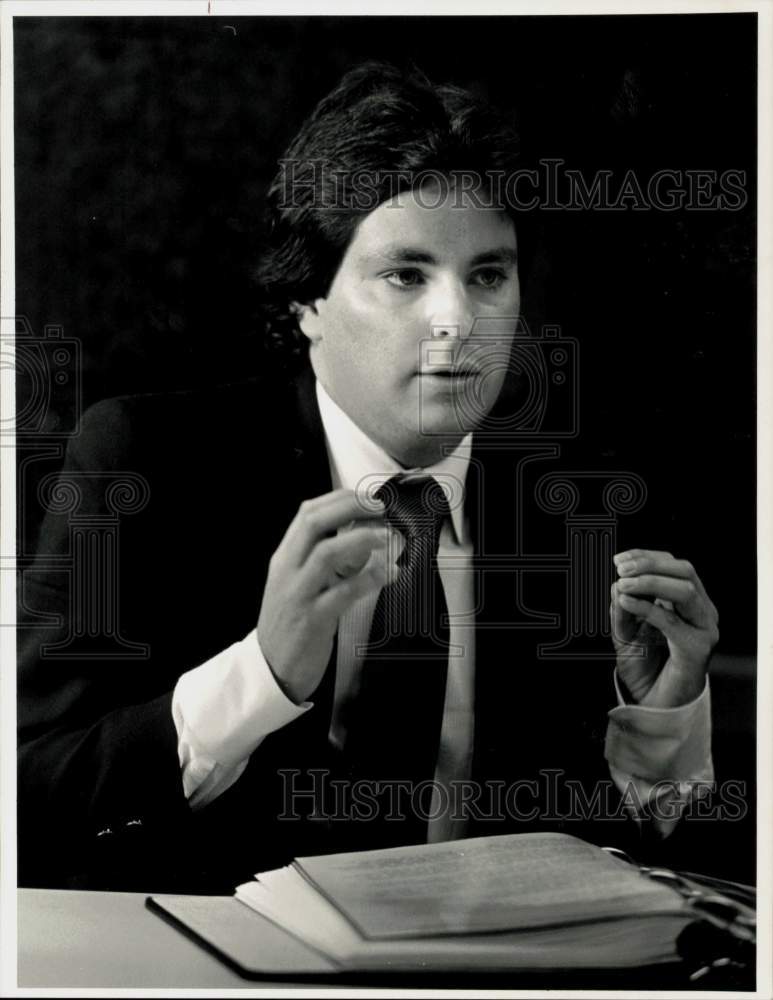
column 484, row 884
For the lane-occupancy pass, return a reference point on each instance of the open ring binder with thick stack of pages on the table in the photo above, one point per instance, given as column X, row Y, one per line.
column 526, row 901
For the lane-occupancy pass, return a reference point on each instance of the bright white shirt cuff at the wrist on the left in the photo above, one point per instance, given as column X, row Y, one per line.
column 224, row 709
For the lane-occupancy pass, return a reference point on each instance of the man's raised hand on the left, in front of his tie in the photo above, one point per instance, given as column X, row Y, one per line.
column 314, row 576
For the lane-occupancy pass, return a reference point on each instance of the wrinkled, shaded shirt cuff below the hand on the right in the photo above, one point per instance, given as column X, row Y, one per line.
column 661, row 744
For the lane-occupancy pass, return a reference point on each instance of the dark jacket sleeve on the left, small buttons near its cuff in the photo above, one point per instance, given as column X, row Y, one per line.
column 100, row 797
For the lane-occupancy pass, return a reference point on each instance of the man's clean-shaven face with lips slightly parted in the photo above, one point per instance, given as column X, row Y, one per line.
column 413, row 336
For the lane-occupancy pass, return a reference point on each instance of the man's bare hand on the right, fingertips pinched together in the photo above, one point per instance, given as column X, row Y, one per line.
column 664, row 627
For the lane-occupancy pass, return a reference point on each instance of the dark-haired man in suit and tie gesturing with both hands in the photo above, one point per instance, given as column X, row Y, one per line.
column 324, row 656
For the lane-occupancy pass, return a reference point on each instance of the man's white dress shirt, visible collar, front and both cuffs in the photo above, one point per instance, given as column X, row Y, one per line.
column 224, row 708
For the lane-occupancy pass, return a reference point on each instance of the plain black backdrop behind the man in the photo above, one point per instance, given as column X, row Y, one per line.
column 143, row 149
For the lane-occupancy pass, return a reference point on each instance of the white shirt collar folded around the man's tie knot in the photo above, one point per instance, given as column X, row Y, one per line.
column 354, row 457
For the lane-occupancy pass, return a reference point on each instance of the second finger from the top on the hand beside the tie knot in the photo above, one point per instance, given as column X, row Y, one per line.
column 344, row 555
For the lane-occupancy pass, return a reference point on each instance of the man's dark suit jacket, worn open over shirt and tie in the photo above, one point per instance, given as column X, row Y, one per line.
column 101, row 802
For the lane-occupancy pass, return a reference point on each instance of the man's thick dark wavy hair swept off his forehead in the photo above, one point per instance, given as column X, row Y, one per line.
column 379, row 132
